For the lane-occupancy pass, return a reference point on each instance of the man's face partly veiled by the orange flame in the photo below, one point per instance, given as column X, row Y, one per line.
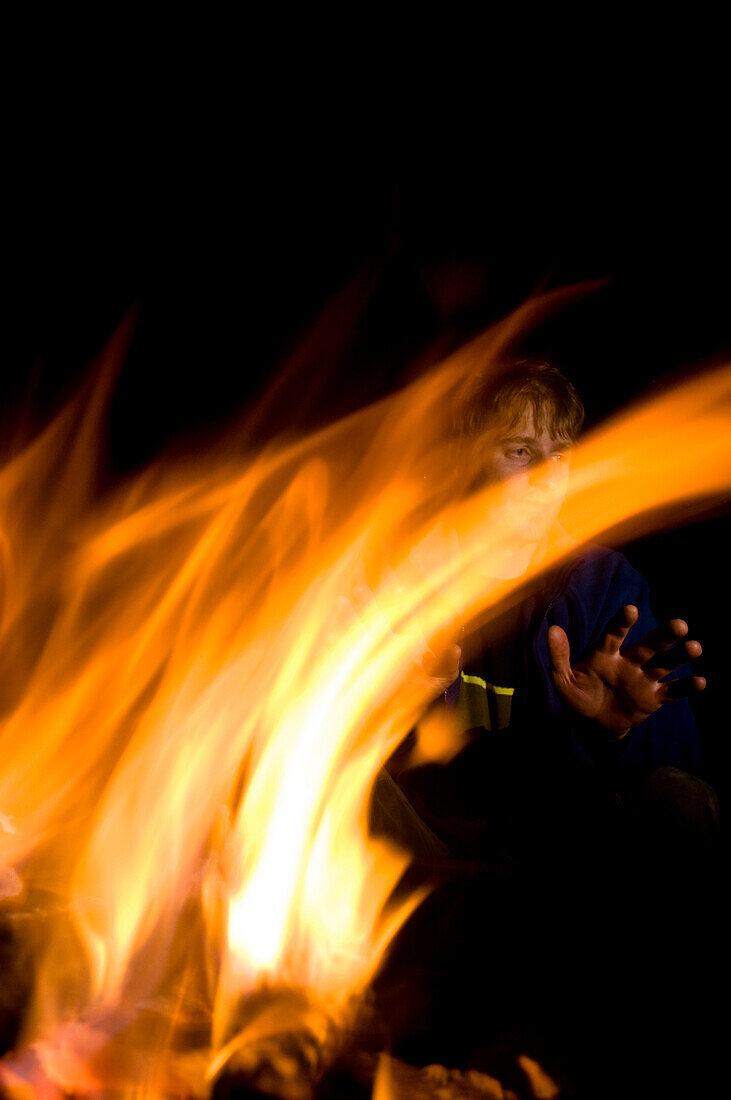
column 533, row 468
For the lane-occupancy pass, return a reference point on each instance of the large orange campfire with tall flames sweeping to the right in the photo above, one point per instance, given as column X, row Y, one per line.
column 203, row 675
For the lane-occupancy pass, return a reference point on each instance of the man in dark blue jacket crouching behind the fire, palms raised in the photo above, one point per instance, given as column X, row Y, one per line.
column 563, row 696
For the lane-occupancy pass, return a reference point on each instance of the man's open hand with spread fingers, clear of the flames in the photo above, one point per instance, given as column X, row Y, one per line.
column 622, row 690
